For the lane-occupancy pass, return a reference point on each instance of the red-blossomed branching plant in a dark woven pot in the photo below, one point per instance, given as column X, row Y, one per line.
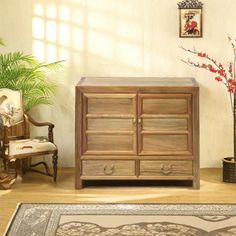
column 226, row 76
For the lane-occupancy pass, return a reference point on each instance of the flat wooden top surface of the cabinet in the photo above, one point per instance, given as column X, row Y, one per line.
column 137, row 82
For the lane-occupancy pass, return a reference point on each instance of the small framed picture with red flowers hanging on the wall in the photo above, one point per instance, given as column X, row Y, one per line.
column 190, row 19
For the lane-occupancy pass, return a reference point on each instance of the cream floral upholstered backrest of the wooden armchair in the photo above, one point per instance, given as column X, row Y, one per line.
column 11, row 107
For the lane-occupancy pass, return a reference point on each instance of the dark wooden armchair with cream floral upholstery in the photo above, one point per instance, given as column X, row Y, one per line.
column 16, row 145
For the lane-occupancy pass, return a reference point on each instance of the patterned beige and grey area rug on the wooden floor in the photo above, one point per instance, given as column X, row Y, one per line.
column 123, row 220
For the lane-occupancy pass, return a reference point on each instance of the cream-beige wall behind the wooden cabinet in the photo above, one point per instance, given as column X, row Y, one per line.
column 123, row 38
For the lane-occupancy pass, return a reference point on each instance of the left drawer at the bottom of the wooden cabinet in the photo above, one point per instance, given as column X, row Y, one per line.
column 108, row 168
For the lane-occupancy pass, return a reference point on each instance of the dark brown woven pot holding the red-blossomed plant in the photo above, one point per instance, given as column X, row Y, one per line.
column 229, row 170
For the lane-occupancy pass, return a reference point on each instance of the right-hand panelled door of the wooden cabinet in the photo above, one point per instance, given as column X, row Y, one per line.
column 165, row 124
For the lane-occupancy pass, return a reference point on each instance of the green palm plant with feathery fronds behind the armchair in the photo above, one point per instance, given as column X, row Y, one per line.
column 25, row 73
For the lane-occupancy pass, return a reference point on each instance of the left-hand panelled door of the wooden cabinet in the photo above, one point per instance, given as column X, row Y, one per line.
column 109, row 124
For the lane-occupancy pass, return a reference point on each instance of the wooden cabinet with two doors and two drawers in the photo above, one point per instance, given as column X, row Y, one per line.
column 137, row 128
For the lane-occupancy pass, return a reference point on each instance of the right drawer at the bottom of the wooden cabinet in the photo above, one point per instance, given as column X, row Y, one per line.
column 166, row 168
